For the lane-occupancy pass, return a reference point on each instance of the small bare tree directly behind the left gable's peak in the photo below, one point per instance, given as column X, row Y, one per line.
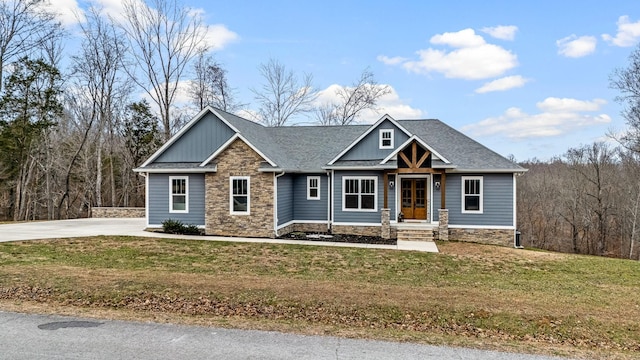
column 210, row 86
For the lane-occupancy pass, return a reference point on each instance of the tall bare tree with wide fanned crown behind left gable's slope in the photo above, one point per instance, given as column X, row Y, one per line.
column 163, row 37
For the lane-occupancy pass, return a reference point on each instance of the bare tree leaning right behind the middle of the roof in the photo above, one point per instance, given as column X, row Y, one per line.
column 353, row 100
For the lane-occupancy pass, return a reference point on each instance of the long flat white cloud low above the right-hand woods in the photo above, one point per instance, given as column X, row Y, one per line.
column 558, row 116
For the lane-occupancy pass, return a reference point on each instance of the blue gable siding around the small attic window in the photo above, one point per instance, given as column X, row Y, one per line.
column 368, row 148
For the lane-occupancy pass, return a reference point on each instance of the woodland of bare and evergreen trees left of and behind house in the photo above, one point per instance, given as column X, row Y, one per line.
column 70, row 137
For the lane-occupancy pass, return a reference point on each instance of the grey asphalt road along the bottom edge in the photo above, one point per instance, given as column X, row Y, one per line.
column 35, row 337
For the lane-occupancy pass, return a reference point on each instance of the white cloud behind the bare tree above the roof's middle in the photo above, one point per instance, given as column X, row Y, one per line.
column 390, row 103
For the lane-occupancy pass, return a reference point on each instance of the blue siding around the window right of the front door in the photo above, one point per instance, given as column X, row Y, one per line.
column 497, row 201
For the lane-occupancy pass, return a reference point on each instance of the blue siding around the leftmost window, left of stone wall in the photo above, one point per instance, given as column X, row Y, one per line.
column 159, row 199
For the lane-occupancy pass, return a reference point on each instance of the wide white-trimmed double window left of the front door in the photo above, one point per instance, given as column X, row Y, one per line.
column 359, row 194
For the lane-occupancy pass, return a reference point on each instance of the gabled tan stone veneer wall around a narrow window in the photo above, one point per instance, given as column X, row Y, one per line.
column 239, row 160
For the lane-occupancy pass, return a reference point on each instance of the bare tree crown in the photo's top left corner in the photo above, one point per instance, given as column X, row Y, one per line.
column 24, row 27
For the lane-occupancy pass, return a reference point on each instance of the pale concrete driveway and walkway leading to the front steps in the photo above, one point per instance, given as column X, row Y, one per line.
column 135, row 227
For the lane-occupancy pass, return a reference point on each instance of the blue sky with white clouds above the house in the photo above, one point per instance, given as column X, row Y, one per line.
column 528, row 78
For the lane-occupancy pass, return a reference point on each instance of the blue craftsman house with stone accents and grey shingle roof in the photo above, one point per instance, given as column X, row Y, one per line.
column 395, row 178
